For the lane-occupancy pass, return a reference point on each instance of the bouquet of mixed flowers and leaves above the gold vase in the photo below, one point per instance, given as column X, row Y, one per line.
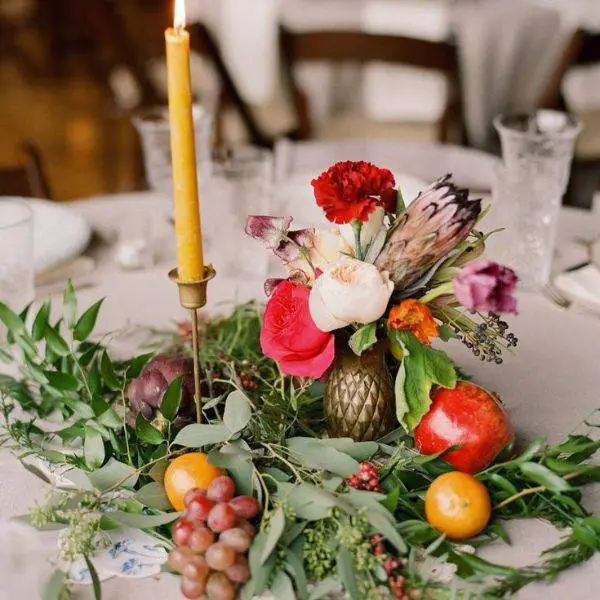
column 406, row 274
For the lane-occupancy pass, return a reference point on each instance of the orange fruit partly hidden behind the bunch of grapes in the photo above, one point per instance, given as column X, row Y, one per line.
column 187, row 472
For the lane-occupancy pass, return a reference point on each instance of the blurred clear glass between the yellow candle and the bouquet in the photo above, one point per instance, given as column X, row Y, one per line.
column 240, row 185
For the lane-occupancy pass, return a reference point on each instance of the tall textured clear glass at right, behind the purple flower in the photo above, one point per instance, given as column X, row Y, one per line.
column 537, row 150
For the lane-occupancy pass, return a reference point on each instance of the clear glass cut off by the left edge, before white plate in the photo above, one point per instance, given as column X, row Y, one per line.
column 17, row 272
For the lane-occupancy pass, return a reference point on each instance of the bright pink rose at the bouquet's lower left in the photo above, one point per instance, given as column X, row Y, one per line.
column 289, row 334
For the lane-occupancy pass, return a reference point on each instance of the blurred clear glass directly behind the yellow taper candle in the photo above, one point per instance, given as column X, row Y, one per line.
column 155, row 133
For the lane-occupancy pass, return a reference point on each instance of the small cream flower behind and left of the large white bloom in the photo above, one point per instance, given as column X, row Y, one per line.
column 323, row 247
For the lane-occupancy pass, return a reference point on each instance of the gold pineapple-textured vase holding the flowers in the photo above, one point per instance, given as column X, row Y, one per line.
column 359, row 397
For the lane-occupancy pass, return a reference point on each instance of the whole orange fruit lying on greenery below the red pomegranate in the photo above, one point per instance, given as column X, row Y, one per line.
column 458, row 505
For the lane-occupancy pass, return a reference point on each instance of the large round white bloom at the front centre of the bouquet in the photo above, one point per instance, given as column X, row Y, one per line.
column 349, row 291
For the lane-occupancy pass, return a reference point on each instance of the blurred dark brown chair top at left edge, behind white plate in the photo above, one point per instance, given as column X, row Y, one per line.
column 27, row 178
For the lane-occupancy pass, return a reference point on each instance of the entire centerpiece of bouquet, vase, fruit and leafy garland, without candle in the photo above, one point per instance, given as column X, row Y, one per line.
column 259, row 499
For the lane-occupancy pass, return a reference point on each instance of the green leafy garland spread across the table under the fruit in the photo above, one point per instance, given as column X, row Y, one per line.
column 266, row 429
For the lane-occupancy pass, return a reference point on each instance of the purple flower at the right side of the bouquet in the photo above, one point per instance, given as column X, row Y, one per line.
column 487, row 286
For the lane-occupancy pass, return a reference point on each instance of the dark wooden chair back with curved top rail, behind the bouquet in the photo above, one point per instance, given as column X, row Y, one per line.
column 360, row 47
